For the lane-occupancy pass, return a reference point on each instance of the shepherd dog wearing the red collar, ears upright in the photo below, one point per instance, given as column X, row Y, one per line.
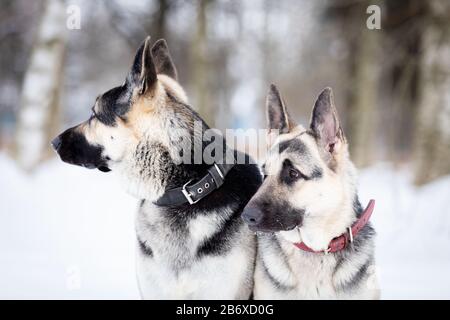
column 309, row 197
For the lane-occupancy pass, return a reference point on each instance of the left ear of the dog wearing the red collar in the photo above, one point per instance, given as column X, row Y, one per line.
column 277, row 115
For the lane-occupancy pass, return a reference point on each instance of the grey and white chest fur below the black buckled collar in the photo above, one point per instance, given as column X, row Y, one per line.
column 207, row 255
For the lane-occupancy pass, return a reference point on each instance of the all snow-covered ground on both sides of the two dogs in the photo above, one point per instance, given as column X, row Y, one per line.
column 67, row 233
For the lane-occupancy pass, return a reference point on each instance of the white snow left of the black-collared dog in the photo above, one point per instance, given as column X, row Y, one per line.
column 65, row 232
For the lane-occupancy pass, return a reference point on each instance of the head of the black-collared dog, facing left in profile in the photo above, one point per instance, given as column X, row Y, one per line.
column 133, row 126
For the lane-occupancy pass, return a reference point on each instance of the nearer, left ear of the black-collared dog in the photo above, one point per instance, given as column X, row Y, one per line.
column 143, row 71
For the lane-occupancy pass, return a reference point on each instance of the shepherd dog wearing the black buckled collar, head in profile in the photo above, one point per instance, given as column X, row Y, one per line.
column 185, row 251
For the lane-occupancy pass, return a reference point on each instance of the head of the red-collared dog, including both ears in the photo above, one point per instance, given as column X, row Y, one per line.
column 303, row 169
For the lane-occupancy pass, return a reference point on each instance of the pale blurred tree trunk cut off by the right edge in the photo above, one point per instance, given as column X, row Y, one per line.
column 432, row 141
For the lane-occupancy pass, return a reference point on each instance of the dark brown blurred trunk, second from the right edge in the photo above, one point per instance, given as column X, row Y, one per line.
column 403, row 30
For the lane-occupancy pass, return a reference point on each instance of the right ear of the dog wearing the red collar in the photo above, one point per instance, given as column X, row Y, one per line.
column 325, row 122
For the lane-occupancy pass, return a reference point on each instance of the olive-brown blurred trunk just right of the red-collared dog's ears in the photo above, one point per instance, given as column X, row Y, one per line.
column 362, row 76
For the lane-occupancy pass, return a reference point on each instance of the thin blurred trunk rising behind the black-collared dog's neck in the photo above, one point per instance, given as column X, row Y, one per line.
column 200, row 65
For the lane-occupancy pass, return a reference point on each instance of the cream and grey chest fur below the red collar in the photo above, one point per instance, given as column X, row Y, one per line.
column 285, row 272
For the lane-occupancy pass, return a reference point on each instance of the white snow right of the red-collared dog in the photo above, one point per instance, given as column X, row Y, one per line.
column 413, row 227
